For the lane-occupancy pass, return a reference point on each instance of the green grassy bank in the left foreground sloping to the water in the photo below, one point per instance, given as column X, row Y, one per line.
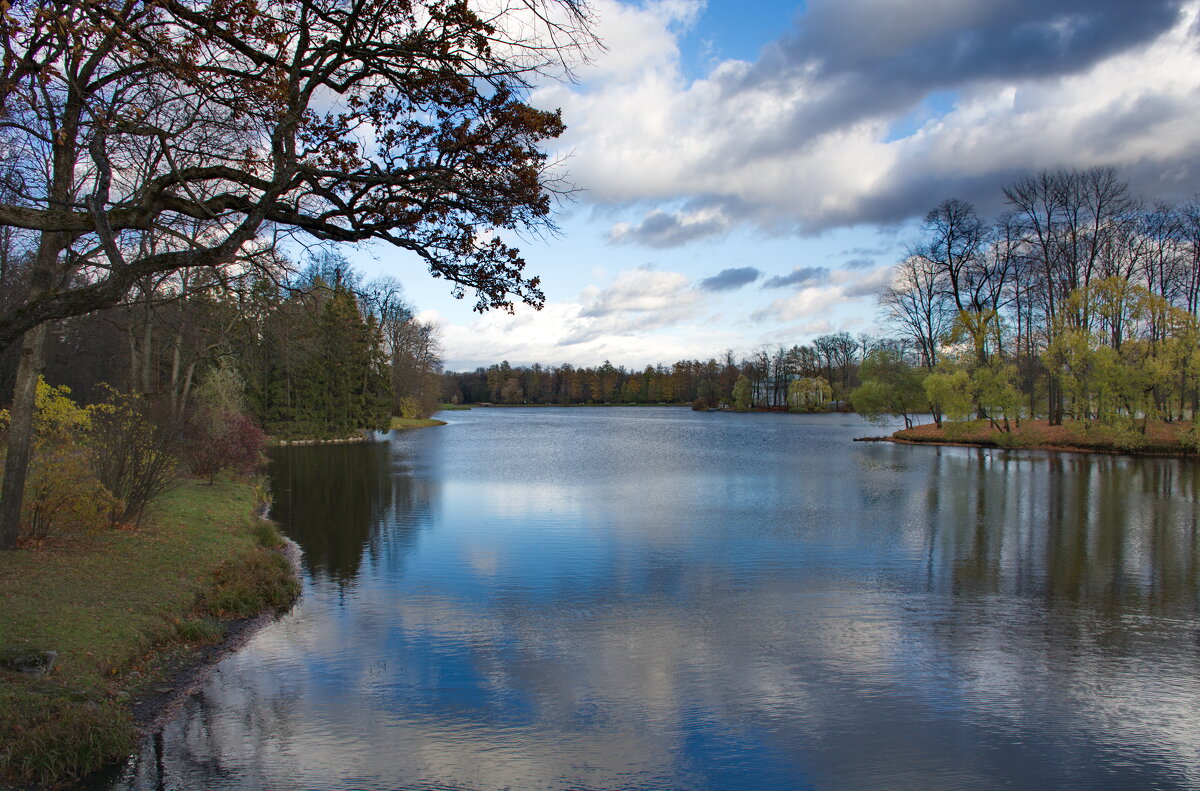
column 115, row 606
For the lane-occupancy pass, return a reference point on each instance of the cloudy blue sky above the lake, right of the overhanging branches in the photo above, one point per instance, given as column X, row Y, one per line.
column 748, row 173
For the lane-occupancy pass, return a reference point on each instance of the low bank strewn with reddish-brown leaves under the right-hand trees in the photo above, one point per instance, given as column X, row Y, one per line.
column 1173, row 439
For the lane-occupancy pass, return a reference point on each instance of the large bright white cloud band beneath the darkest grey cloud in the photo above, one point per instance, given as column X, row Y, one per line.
column 787, row 153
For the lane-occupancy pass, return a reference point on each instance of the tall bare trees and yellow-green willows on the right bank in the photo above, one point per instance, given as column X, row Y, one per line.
column 1079, row 303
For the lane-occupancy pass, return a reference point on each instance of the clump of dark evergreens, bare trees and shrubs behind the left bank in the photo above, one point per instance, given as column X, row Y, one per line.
column 202, row 364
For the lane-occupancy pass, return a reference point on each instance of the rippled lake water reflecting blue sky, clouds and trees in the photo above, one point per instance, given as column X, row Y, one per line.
column 663, row 600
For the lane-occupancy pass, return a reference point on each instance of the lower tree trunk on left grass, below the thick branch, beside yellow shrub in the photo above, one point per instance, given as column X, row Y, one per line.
column 21, row 435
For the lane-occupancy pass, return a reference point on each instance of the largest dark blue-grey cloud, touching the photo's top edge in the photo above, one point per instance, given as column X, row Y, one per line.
column 869, row 61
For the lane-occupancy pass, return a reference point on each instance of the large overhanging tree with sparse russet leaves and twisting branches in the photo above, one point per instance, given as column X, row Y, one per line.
column 154, row 136
